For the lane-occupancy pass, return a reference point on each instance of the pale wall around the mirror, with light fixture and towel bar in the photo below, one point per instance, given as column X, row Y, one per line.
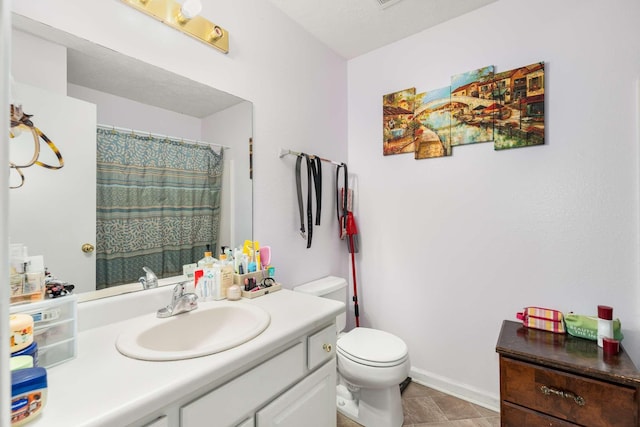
column 297, row 86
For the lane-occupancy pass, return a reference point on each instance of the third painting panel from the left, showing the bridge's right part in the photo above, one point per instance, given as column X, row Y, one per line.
column 473, row 107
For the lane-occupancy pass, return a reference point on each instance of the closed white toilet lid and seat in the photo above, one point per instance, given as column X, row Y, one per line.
column 372, row 347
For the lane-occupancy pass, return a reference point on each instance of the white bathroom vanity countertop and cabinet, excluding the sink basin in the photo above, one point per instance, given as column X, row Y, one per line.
column 285, row 376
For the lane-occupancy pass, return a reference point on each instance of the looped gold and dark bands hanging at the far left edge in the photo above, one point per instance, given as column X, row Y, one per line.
column 21, row 122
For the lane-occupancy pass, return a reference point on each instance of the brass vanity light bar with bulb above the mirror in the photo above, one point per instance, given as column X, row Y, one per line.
column 185, row 17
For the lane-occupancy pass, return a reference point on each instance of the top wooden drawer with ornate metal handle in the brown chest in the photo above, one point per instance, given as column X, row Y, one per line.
column 569, row 397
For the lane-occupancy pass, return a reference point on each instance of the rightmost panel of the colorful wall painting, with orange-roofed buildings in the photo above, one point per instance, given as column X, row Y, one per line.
column 522, row 95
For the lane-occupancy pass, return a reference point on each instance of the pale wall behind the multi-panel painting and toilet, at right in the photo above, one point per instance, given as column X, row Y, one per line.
column 452, row 246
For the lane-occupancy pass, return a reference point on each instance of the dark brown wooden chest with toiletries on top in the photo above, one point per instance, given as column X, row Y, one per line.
column 549, row 379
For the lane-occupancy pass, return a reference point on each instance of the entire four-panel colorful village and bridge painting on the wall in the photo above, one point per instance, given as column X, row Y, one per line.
column 505, row 108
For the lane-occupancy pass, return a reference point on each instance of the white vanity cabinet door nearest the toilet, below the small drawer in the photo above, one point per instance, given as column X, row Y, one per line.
column 310, row 403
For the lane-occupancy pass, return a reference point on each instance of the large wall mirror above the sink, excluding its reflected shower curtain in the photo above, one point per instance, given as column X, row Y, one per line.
column 53, row 214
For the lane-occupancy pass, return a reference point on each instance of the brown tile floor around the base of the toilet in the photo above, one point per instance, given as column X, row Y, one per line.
column 426, row 407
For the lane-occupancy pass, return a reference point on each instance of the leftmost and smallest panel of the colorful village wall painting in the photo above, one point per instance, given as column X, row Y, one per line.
column 397, row 128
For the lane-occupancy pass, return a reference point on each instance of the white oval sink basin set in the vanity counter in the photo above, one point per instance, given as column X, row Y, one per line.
column 211, row 328
